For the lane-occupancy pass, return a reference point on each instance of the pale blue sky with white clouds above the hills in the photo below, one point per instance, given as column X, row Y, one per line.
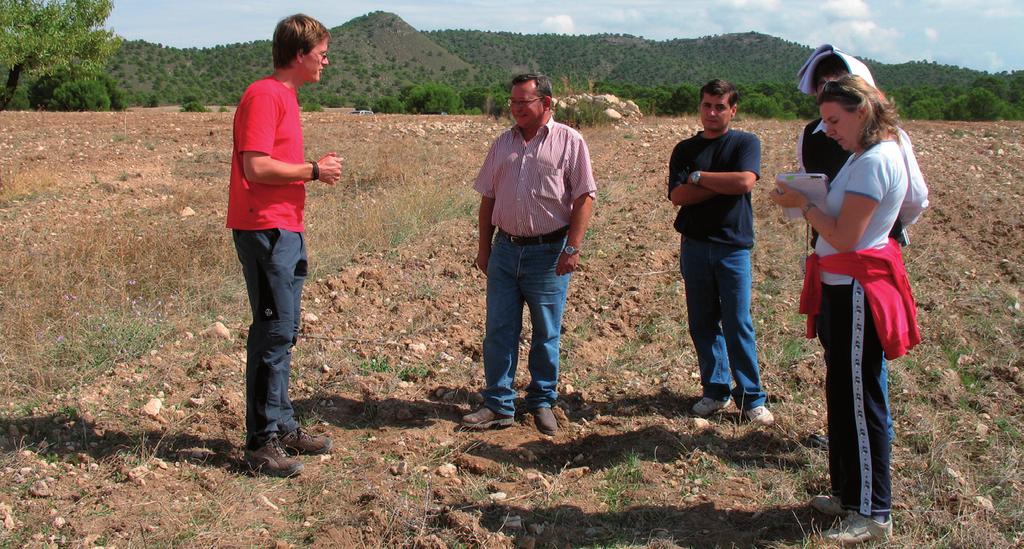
column 977, row 34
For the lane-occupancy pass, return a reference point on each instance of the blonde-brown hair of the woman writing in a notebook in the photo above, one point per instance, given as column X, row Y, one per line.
column 852, row 94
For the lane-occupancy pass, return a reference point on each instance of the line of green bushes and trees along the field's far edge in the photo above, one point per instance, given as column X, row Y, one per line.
column 986, row 99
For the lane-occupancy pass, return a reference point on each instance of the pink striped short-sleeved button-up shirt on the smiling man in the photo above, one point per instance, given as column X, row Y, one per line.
column 535, row 184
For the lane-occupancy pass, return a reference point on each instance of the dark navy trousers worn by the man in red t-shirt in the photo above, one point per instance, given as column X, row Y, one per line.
column 274, row 263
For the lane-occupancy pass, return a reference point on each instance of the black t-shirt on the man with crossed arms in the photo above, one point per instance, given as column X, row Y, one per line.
column 723, row 219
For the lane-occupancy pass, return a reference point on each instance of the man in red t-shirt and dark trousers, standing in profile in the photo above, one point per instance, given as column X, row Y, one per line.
column 265, row 210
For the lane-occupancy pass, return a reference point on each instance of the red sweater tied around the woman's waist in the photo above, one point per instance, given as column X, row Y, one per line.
column 886, row 285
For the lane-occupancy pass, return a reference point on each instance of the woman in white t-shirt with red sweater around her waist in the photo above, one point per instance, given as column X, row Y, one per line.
column 859, row 302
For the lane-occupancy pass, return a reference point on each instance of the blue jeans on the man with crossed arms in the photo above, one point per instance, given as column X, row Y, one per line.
column 718, row 281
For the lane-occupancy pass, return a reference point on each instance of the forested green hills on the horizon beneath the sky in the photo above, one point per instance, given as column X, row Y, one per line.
column 379, row 55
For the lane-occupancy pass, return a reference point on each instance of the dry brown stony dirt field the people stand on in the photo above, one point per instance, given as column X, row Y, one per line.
column 117, row 266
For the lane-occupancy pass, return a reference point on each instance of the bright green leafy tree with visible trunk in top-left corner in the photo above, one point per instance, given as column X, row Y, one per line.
column 38, row 37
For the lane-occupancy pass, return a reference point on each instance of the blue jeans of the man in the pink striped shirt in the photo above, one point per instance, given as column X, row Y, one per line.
column 519, row 275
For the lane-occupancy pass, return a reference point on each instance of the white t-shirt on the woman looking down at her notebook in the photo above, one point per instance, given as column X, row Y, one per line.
column 880, row 175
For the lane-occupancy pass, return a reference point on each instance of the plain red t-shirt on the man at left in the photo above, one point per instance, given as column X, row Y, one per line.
column 267, row 121
